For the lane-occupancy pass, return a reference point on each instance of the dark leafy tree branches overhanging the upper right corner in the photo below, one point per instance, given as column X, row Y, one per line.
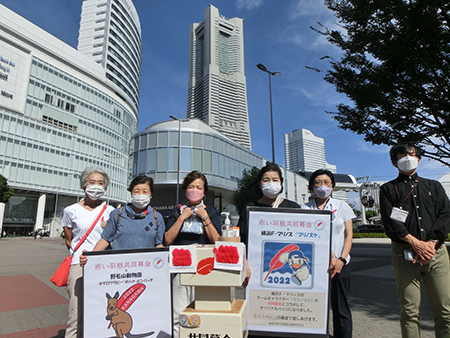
column 395, row 69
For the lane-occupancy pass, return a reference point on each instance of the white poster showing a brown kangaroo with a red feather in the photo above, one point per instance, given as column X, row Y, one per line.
column 127, row 293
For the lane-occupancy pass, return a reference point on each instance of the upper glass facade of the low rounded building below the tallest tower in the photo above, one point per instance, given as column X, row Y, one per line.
column 155, row 154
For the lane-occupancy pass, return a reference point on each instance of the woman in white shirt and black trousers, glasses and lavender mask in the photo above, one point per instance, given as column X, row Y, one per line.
column 321, row 184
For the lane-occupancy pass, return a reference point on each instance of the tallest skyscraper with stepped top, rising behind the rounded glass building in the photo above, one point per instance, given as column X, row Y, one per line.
column 217, row 92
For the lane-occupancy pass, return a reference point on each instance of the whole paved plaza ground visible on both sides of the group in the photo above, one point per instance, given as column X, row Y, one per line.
column 32, row 307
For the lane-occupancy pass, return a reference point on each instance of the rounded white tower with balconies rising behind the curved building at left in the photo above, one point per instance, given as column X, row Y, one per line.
column 110, row 33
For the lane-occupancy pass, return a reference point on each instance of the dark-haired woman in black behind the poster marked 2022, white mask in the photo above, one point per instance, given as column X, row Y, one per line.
column 268, row 186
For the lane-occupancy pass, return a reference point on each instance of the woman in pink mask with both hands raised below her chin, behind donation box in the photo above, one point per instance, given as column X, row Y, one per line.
column 191, row 223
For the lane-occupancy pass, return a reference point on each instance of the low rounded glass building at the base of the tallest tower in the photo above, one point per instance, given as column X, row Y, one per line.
column 155, row 153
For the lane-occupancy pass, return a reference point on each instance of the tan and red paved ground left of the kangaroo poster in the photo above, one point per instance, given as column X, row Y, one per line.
column 30, row 305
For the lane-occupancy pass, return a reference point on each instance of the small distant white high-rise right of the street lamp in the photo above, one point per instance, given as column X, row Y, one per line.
column 305, row 152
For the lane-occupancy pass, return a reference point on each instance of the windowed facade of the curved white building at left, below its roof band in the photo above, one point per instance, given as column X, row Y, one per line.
column 66, row 126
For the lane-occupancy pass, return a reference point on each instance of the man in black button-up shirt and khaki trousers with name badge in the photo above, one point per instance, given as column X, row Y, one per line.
column 416, row 216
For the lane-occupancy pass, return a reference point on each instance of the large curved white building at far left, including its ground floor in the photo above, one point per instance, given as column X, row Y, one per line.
column 59, row 113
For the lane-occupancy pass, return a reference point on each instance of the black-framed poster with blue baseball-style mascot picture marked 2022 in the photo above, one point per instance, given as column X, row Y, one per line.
column 289, row 254
